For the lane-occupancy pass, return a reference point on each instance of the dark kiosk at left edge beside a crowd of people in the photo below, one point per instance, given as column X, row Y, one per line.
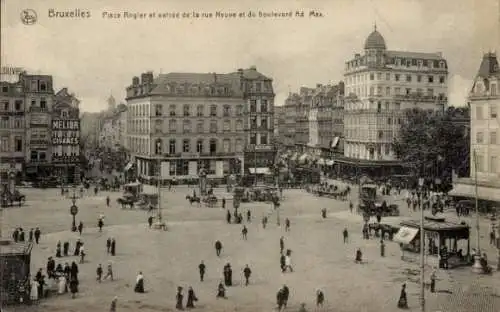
column 15, row 259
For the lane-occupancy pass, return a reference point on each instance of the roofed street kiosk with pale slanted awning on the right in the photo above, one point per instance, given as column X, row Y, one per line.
column 438, row 233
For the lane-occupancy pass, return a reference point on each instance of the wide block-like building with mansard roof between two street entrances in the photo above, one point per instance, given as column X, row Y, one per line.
column 189, row 121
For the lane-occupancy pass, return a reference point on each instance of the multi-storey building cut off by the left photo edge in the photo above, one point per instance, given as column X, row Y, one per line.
column 12, row 131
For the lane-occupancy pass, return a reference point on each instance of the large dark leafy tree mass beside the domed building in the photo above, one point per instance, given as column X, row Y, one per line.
column 434, row 143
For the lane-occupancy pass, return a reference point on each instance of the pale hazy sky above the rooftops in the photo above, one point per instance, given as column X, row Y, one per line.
column 98, row 56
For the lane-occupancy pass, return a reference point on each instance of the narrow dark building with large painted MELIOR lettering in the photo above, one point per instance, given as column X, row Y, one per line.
column 66, row 135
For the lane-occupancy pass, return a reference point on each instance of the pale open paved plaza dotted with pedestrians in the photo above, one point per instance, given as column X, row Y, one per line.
column 170, row 258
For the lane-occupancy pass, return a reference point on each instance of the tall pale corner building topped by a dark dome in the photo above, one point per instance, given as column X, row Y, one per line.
column 380, row 84
